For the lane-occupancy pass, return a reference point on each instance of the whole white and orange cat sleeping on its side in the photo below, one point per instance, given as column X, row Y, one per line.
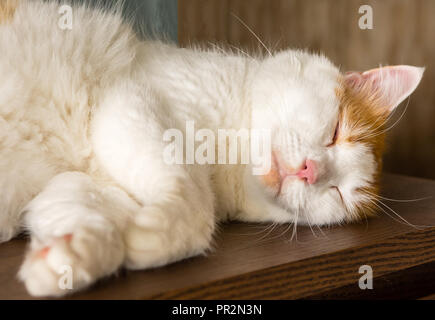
column 82, row 118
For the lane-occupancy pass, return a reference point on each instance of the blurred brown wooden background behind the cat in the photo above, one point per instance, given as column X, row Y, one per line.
column 403, row 33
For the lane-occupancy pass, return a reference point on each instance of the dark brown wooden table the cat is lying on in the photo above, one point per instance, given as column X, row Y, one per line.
column 254, row 262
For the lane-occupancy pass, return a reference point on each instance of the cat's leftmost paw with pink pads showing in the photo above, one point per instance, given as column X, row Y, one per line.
column 67, row 264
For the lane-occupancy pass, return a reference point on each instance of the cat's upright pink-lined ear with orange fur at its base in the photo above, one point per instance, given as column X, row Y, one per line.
column 388, row 85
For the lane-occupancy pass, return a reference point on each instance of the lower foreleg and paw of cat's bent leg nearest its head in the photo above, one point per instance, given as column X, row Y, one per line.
column 176, row 224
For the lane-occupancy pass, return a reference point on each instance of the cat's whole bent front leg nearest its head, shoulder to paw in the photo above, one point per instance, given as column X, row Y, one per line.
column 177, row 218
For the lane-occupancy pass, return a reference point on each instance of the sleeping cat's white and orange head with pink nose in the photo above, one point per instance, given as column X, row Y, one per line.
column 328, row 132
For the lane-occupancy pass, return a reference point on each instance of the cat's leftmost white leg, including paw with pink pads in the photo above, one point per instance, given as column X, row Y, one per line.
column 76, row 234
